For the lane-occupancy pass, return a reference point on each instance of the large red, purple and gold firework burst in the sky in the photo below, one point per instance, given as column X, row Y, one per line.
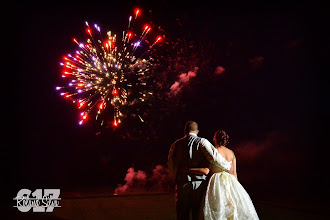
column 109, row 75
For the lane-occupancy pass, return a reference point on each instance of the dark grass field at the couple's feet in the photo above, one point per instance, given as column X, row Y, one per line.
column 152, row 206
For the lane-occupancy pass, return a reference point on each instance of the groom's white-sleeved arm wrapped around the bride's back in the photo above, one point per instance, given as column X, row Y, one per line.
column 212, row 155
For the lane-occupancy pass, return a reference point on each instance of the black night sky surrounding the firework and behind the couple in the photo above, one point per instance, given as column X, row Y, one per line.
column 266, row 99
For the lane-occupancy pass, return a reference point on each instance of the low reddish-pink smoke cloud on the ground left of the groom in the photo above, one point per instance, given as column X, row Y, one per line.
column 138, row 182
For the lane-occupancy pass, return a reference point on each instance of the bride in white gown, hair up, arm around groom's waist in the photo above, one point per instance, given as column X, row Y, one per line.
column 225, row 197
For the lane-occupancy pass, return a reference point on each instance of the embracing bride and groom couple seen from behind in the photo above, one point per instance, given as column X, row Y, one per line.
column 206, row 179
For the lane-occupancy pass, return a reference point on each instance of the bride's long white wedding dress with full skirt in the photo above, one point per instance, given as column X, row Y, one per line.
column 226, row 199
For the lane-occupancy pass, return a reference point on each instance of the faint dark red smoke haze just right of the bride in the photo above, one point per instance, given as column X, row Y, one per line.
column 265, row 158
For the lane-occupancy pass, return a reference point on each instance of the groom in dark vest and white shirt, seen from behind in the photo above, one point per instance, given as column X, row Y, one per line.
column 191, row 151
